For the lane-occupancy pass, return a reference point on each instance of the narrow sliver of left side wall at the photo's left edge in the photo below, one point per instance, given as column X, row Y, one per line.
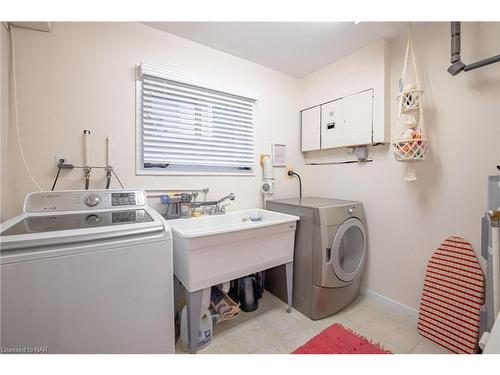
column 5, row 208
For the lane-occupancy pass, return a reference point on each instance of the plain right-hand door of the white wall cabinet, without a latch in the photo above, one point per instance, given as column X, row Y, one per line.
column 358, row 118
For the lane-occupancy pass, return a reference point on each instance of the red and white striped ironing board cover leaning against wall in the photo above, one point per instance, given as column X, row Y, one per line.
column 451, row 298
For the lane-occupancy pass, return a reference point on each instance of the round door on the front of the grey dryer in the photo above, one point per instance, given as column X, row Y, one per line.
column 349, row 250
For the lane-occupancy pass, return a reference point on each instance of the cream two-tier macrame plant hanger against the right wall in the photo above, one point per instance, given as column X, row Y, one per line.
column 411, row 145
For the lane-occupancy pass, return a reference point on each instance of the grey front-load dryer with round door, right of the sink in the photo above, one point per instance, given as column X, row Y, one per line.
column 330, row 253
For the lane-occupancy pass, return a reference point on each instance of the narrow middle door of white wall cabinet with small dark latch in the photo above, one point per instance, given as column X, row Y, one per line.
column 332, row 124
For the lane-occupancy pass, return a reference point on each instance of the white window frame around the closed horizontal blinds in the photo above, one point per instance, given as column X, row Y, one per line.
column 174, row 75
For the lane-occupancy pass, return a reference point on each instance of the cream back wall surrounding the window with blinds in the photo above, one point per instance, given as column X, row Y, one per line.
column 81, row 76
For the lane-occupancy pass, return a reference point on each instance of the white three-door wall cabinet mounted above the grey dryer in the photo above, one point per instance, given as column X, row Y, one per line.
column 343, row 122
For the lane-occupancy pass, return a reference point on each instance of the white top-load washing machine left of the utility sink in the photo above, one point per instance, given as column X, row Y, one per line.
column 86, row 272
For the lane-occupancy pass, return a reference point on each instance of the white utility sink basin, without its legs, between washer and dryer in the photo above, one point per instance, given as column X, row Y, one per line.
column 209, row 250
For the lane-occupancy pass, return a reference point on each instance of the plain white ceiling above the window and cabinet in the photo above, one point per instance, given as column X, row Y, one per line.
column 294, row 48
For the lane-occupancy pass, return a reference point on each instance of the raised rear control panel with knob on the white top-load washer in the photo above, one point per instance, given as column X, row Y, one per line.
column 76, row 200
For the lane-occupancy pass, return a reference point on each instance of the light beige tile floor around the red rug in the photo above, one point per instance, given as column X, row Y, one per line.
column 271, row 329
